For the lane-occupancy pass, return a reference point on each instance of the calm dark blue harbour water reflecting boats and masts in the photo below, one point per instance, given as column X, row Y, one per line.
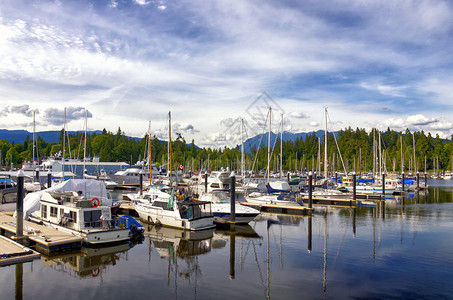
column 401, row 250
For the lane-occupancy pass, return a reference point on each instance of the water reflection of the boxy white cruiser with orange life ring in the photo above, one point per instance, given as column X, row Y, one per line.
column 90, row 262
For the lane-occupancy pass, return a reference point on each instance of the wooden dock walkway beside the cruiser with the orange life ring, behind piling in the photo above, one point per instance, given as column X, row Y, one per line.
column 44, row 238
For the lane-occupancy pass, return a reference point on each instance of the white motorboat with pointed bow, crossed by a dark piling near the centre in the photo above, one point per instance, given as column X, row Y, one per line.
column 221, row 206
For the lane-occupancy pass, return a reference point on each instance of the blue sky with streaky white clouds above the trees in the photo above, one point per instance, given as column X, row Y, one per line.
column 127, row 62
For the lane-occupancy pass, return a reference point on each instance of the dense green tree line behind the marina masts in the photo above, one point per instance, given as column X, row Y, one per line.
column 350, row 150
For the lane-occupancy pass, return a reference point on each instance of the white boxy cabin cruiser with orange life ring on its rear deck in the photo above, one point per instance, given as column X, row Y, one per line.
column 81, row 216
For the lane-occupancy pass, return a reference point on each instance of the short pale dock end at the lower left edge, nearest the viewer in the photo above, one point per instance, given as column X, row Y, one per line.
column 12, row 252
